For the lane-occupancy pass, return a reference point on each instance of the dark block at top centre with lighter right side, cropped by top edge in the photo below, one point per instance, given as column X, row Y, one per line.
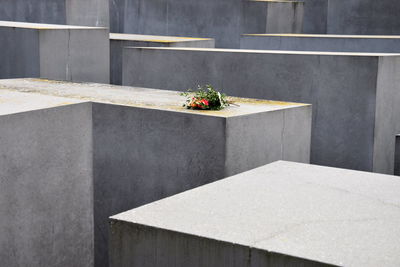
column 222, row 20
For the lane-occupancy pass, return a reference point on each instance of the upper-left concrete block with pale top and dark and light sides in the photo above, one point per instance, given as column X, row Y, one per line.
column 60, row 52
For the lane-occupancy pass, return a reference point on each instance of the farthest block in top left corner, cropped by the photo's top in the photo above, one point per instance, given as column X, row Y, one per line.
column 75, row 12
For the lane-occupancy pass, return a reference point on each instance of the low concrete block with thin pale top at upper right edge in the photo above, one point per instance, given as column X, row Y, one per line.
column 322, row 42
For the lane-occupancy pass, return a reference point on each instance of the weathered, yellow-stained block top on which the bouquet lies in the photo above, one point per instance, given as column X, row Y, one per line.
column 136, row 97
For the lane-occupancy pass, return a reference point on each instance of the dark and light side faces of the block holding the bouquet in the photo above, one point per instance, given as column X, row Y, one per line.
column 153, row 154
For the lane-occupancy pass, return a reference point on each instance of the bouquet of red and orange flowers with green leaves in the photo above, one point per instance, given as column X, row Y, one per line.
column 205, row 98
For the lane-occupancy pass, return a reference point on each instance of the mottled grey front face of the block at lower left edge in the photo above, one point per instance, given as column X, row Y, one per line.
column 46, row 199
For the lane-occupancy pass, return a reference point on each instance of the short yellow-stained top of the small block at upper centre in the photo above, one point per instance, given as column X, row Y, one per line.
column 153, row 38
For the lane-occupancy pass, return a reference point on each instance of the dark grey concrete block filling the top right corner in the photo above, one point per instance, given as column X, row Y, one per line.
column 352, row 17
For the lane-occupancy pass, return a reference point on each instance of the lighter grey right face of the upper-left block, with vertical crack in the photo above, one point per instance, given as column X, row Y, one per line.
column 75, row 55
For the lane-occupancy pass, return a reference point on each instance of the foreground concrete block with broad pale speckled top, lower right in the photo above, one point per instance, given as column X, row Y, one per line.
column 281, row 214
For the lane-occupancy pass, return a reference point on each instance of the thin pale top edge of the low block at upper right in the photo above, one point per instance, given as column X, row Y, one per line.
column 324, row 36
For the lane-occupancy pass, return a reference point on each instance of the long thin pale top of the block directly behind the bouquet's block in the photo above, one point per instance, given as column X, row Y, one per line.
column 222, row 50
